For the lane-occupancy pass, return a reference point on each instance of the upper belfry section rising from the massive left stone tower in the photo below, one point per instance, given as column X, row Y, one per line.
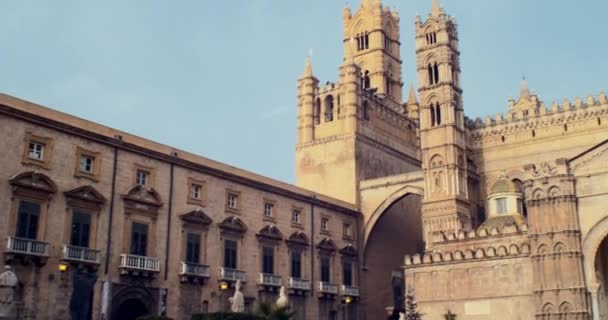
column 374, row 31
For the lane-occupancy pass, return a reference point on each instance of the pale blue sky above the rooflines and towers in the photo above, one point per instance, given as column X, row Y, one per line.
column 218, row 78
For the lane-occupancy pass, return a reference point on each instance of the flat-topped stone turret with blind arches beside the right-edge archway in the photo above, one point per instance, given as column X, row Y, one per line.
column 555, row 239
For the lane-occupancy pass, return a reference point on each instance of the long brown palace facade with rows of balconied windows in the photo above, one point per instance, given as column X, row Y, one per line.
column 103, row 279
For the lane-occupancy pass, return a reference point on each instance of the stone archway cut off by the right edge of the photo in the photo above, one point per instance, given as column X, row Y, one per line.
column 595, row 253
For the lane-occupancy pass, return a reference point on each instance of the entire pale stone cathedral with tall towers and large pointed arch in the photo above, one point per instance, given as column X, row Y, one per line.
column 495, row 218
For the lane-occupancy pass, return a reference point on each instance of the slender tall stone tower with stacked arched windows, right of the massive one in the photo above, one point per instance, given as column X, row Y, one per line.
column 446, row 206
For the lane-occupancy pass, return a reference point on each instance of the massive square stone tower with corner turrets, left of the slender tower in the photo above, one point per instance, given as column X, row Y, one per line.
column 356, row 128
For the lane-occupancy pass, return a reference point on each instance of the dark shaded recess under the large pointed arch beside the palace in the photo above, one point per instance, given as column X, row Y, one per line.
column 398, row 232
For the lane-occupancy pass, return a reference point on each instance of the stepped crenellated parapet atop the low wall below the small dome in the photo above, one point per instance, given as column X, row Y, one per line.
column 466, row 246
